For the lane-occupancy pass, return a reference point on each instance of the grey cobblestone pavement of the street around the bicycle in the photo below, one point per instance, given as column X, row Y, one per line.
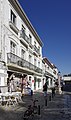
column 59, row 108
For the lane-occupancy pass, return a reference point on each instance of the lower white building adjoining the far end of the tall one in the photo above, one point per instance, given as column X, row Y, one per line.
column 50, row 73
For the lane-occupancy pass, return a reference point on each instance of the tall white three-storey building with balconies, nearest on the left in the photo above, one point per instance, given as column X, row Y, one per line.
column 20, row 48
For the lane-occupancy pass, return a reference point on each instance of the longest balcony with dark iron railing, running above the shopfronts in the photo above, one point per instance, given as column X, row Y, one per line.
column 12, row 58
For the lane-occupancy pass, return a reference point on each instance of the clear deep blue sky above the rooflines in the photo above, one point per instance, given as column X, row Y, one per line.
column 52, row 21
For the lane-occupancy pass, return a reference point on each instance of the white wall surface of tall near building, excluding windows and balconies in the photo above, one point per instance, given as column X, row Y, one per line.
column 8, row 35
